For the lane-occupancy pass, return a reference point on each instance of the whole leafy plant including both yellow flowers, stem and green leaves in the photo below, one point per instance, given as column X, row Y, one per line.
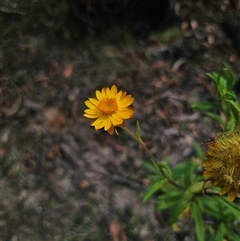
column 182, row 189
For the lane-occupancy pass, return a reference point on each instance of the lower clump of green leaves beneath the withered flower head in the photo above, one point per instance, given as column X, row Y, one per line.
column 226, row 214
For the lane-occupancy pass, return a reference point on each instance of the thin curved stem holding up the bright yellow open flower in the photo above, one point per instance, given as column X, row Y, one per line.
column 153, row 159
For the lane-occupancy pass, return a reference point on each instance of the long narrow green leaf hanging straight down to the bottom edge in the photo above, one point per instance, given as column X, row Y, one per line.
column 196, row 213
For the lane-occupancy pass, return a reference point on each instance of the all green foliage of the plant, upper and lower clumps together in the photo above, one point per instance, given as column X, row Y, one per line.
column 180, row 188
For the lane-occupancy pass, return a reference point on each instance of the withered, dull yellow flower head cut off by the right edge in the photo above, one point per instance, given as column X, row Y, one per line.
column 222, row 165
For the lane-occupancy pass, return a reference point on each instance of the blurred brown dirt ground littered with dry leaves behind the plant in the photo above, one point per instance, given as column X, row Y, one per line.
column 60, row 179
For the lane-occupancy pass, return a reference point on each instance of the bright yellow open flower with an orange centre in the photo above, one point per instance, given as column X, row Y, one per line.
column 109, row 109
